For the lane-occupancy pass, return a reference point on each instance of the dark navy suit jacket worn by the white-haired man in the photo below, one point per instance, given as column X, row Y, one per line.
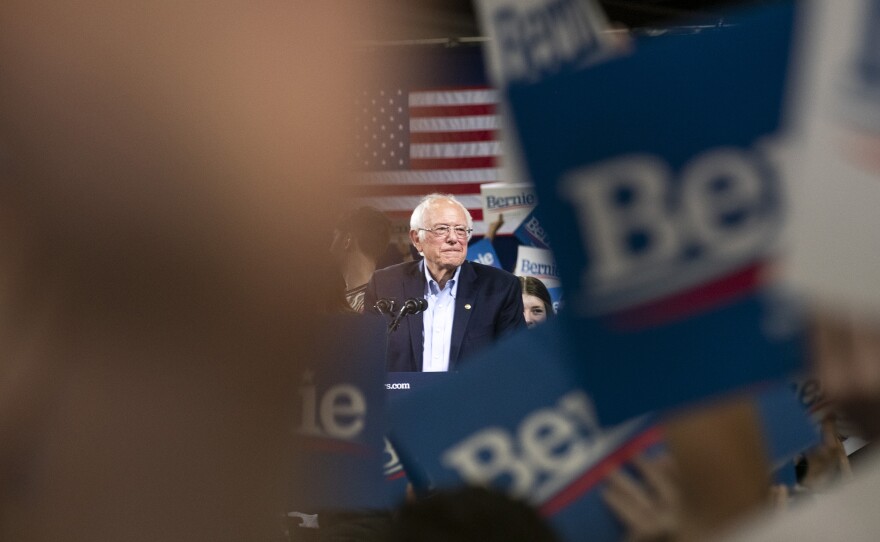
column 488, row 304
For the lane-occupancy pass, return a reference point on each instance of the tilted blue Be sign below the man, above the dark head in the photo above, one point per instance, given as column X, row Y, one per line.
column 515, row 420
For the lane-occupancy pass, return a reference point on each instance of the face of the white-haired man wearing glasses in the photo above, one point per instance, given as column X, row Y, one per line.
column 443, row 252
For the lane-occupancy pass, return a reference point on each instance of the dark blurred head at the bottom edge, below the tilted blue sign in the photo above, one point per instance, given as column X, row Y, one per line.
column 470, row 514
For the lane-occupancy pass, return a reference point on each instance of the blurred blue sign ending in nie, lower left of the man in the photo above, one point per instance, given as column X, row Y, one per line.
column 339, row 417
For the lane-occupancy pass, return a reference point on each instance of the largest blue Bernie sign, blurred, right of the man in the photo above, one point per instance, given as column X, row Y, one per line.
column 658, row 187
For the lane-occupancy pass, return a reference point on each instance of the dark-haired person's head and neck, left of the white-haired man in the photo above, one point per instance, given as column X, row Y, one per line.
column 360, row 239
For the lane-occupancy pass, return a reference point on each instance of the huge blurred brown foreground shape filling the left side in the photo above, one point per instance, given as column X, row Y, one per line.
column 156, row 171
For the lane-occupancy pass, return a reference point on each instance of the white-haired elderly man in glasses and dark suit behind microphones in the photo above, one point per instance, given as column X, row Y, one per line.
column 469, row 305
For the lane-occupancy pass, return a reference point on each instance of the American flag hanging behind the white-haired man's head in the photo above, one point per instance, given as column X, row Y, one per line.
column 413, row 142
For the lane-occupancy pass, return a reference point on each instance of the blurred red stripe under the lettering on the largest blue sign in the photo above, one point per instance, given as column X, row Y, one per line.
column 693, row 301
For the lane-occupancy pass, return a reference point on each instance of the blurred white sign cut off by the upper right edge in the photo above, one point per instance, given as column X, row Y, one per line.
column 835, row 193
